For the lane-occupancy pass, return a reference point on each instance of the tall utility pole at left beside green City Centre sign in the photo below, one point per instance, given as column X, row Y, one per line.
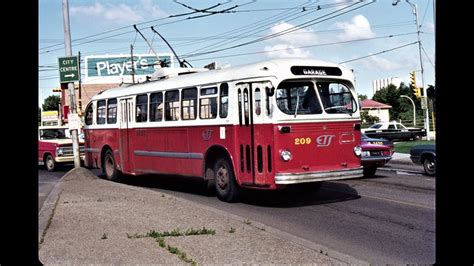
column 70, row 85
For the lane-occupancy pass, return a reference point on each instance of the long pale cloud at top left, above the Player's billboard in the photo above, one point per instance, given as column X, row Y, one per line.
column 118, row 13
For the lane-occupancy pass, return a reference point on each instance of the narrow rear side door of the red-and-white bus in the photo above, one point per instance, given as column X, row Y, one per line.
column 126, row 116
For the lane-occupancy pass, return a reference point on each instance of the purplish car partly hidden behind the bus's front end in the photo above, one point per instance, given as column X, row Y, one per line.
column 376, row 152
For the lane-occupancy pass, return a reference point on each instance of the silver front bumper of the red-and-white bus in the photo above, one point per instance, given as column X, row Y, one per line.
column 287, row 178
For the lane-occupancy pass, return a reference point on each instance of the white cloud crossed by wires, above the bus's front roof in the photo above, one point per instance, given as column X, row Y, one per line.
column 289, row 41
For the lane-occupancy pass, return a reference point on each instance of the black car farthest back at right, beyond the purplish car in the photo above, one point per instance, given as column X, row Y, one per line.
column 394, row 131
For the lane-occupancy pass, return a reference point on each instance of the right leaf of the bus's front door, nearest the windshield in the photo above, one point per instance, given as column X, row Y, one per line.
column 262, row 133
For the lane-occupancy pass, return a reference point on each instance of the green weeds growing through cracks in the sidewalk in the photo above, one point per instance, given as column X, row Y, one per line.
column 160, row 238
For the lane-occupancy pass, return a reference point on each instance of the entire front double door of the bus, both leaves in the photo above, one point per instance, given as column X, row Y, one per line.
column 254, row 136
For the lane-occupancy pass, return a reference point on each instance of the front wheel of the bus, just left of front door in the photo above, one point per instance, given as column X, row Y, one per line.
column 226, row 188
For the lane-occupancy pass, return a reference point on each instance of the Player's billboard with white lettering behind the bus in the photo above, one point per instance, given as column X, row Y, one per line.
column 121, row 65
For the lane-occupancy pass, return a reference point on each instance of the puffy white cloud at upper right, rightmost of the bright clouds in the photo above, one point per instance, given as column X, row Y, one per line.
column 357, row 28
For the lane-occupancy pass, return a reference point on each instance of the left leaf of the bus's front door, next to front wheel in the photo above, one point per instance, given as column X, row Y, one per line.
column 244, row 163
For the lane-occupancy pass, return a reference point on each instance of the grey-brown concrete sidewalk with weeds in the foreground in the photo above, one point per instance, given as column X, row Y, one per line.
column 87, row 220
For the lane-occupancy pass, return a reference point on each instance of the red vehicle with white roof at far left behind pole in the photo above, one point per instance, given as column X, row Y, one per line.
column 55, row 147
